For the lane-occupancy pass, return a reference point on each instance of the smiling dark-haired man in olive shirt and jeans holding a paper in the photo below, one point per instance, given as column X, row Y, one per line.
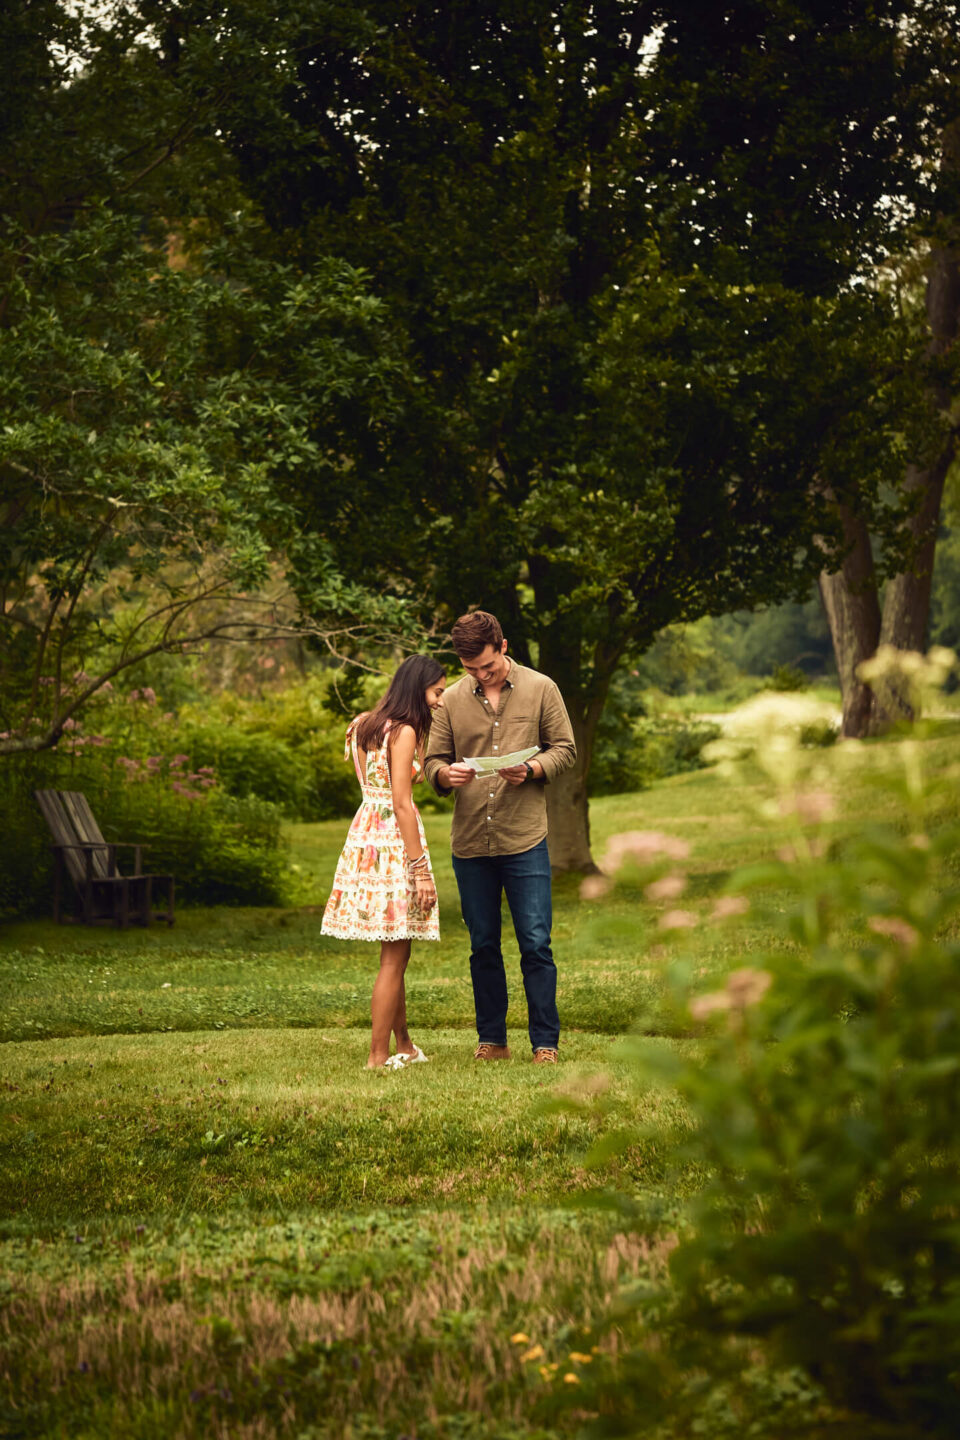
column 500, row 824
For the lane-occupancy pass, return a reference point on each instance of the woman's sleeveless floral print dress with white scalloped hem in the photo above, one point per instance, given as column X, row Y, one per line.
column 373, row 898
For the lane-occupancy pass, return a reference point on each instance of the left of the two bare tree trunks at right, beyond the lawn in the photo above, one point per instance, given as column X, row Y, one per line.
column 853, row 613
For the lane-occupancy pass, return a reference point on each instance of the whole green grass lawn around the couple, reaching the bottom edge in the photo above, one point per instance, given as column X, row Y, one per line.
column 214, row 1222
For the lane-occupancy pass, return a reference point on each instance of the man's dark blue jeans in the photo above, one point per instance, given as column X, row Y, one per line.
column 526, row 881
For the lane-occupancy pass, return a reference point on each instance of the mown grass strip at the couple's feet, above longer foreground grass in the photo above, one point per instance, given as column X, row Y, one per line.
column 280, row 1121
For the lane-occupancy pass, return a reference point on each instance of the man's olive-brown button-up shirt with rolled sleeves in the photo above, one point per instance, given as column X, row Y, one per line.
column 490, row 816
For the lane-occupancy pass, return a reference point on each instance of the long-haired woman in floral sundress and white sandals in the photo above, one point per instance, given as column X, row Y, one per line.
column 384, row 889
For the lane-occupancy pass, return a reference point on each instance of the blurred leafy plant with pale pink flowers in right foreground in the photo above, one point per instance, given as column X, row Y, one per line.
column 815, row 1281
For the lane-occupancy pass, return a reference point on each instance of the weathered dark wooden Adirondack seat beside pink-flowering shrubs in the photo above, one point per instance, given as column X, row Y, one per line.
column 80, row 850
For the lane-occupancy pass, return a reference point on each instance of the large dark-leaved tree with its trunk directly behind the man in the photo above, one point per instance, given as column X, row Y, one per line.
column 628, row 248
